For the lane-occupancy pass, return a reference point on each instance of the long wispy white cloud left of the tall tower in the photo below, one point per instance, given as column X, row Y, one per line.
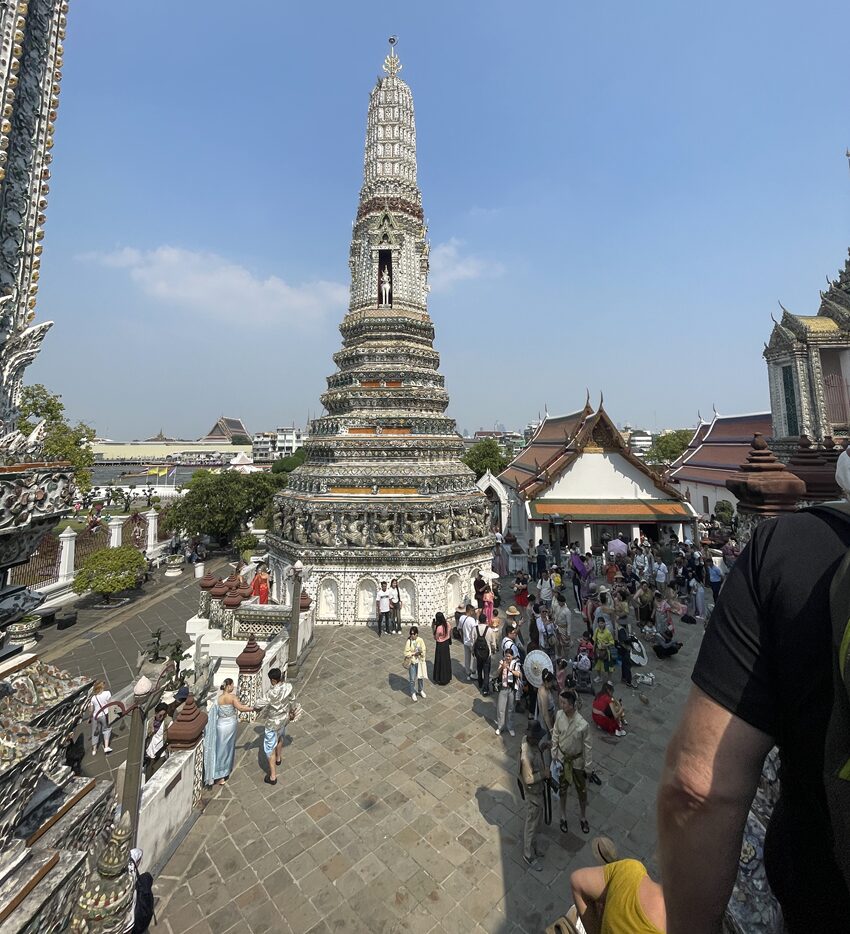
column 213, row 286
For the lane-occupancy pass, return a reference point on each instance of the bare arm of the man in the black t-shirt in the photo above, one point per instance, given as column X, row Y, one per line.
column 711, row 772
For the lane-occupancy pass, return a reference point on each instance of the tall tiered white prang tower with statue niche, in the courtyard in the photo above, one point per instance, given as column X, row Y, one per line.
column 383, row 492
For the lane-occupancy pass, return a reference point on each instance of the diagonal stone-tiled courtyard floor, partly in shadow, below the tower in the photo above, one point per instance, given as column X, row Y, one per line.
column 391, row 816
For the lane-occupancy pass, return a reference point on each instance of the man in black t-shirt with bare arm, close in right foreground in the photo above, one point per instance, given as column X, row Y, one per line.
column 764, row 677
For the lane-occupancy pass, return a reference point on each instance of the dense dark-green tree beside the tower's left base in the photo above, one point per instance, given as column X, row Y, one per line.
column 220, row 504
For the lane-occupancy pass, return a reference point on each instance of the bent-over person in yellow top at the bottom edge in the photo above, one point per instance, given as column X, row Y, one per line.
column 619, row 898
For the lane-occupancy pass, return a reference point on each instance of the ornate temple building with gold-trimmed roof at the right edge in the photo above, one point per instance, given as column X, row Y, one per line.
column 808, row 365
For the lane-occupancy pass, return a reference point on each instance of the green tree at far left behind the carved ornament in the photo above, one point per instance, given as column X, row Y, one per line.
column 62, row 441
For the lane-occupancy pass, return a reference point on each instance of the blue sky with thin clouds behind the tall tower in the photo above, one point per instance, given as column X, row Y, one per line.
column 618, row 194
